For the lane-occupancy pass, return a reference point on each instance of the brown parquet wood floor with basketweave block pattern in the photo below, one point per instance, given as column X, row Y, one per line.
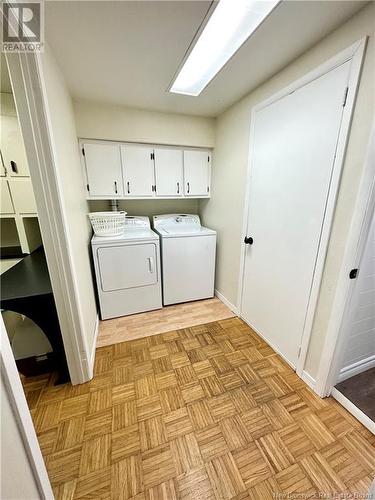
column 207, row 412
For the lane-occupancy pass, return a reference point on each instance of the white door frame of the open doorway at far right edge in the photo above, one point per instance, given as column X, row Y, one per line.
column 331, row 359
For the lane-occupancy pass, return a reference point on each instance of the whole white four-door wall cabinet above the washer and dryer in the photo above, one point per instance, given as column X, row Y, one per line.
column 136, row 171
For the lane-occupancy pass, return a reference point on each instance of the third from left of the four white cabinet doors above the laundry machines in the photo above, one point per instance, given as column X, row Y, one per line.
column 168, row 172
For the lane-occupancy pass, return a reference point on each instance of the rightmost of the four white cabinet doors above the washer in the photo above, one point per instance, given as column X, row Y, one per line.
column 197, row 173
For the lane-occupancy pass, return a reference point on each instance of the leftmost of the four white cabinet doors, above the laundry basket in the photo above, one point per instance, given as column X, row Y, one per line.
column 103, row 167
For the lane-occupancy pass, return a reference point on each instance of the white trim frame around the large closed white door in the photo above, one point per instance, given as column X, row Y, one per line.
column 355, row 54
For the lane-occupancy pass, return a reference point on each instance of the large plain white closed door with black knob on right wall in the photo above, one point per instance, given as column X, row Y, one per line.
column 293, row 152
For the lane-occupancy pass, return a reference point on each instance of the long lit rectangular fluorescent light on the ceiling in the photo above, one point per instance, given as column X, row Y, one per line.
column 230, row 25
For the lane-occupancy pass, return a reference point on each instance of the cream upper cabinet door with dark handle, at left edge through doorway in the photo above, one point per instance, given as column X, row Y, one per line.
column 12, row 147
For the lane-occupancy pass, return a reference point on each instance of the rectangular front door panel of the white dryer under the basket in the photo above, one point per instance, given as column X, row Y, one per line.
column 127, row 266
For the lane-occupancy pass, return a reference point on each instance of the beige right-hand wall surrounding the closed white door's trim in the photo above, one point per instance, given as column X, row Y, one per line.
column 224, row 211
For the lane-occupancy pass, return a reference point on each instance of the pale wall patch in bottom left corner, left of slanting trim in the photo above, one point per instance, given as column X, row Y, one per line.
column 17, row 477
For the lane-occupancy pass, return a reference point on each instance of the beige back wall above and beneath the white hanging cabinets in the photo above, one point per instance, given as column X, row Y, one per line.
column 119, row 123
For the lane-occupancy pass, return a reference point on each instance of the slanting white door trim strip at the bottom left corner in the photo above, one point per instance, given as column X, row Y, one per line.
column 22, row 416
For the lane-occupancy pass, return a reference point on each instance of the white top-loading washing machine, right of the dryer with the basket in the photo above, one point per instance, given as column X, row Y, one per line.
column 188, row 257
